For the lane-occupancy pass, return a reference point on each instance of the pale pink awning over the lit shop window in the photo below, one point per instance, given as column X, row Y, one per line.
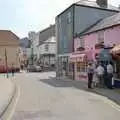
column 78, row 57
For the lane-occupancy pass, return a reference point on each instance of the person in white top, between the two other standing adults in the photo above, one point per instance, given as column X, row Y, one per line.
column 100, row 75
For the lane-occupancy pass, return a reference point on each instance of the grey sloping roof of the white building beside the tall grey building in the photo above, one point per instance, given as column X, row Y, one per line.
column 46, row 34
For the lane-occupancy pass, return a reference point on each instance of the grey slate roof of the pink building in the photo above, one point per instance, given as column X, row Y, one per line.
column 105, row 23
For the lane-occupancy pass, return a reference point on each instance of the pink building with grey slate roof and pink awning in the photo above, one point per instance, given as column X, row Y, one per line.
column 106, row 33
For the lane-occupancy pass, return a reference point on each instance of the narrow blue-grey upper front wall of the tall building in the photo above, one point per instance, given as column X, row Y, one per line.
column 65, row 32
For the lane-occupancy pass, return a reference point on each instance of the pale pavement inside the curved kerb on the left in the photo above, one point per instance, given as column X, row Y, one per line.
column 7, row 90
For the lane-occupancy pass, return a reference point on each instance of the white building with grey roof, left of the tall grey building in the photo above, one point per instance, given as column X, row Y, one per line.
column 44, row 46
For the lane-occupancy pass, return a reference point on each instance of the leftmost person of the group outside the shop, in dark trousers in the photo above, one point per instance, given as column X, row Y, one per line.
column 90, row 71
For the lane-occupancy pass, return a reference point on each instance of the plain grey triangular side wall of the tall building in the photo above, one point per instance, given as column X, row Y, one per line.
column 86, row 16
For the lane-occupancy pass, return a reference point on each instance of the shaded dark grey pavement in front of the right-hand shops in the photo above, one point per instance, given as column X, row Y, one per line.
column 113, row 94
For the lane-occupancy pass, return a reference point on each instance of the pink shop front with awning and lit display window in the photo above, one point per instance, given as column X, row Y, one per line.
column 80, row 62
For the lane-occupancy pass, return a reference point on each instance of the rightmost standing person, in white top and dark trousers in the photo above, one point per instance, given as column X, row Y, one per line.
column 110, row 75
